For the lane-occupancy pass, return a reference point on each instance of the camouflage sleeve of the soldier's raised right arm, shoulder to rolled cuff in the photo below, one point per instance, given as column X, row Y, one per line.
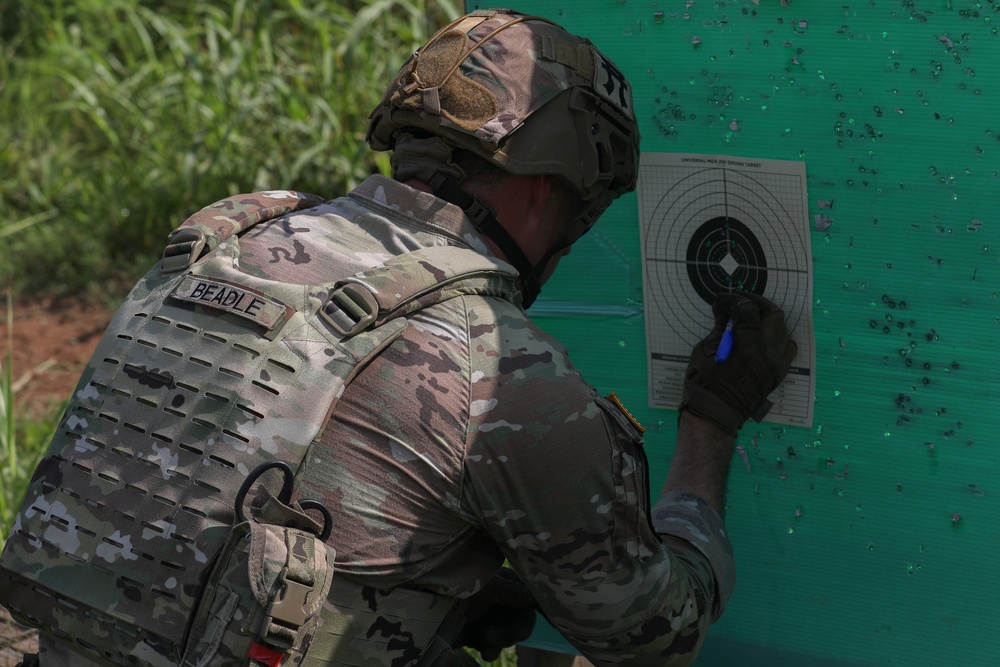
column 558, row 477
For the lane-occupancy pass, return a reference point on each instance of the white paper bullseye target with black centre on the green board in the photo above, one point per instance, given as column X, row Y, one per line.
column 713, row 224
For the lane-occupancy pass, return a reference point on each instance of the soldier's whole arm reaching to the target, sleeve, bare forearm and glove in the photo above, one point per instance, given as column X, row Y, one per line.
column 569, row 506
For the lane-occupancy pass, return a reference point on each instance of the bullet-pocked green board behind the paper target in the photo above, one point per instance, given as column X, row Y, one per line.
column 871, row 537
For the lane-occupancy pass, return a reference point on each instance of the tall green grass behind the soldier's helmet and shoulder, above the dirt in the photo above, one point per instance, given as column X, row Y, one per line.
column 118, row 118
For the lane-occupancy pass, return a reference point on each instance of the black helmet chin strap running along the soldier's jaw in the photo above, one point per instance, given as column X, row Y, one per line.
column 485, row 221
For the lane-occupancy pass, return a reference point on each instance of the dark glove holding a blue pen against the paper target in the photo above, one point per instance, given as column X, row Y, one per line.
column 729, row 392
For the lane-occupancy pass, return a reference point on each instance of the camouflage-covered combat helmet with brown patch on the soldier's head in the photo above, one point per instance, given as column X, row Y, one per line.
column 524, row 94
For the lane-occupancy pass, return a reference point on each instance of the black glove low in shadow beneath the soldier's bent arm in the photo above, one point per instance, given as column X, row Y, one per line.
column 500, row 615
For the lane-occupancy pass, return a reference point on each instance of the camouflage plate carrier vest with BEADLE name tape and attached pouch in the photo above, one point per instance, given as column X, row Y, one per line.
column 149, row 535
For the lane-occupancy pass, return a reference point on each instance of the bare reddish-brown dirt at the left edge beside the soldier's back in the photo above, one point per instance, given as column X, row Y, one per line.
column 52, row 341
